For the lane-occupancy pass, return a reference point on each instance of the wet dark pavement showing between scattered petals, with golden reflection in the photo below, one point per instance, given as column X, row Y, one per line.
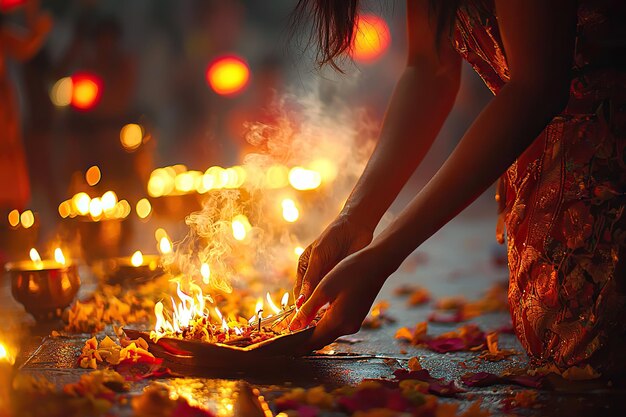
column 459, row 260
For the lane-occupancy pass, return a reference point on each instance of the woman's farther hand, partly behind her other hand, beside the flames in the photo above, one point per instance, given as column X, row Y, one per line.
column 341, row 238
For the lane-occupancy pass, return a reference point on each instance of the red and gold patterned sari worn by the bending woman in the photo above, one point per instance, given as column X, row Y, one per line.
column 562, row 202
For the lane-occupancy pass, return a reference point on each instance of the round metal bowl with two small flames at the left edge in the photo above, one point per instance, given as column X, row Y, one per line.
column 44, row 292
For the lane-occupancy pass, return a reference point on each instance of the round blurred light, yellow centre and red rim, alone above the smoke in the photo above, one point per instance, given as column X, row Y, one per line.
column 228, row 75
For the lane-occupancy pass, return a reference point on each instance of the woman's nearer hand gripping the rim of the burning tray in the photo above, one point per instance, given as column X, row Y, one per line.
column 350, row 289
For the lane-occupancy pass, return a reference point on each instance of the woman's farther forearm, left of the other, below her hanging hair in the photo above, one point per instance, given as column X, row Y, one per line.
column 420, row 104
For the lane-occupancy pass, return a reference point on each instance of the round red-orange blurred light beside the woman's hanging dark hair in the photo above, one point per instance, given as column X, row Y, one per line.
column 371, row 40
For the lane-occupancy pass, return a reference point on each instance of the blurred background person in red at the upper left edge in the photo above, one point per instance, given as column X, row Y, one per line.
column 20, row 45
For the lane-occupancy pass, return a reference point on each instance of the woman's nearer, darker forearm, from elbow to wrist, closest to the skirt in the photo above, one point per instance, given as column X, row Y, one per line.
column 506, row 127
